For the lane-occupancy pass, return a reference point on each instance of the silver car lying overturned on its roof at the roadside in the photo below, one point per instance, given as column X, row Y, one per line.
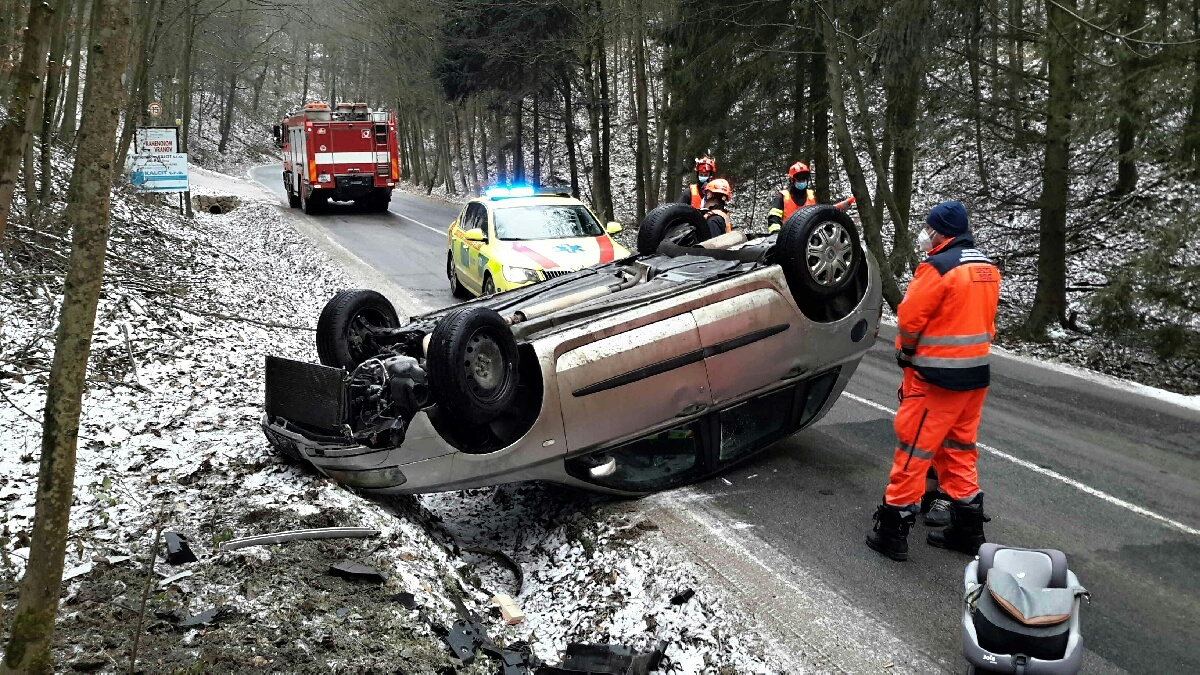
column 628, row 378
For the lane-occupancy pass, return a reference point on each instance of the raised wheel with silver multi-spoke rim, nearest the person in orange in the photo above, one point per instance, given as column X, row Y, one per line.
column 819, row 252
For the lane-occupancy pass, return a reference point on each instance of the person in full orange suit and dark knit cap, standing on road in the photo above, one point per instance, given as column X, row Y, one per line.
column 945, row 330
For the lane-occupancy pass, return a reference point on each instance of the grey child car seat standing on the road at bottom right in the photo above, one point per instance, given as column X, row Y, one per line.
column 1022, row 612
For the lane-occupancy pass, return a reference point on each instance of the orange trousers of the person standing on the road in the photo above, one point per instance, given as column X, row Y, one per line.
column 935, row 426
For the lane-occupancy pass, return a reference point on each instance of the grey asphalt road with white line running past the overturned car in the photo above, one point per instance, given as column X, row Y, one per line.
column 1070, row 464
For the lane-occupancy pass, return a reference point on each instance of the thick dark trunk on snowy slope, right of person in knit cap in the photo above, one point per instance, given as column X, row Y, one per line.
column 1051, row 298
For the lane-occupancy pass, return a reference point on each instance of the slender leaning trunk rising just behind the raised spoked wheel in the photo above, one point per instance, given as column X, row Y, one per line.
column 872, row 226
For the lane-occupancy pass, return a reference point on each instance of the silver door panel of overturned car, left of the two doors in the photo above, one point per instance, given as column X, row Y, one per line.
column 625, row 385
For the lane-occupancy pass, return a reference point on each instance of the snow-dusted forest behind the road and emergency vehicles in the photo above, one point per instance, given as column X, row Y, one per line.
column 1070, row 128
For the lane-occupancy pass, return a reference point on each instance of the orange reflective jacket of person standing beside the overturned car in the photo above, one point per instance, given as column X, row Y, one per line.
column 949, row 318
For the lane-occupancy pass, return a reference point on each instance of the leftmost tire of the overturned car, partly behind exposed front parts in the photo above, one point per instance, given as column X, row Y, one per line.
column 341, row 327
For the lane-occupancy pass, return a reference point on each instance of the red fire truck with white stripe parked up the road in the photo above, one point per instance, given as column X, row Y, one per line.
column 346, row 154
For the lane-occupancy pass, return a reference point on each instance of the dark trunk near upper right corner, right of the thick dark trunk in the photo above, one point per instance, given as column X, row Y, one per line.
column 1131, row 111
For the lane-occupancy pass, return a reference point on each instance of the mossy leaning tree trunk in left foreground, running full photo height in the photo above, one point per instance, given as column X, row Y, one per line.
column 88, row 210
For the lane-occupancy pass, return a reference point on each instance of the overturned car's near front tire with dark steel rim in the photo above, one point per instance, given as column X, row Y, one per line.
column 472, row 365
